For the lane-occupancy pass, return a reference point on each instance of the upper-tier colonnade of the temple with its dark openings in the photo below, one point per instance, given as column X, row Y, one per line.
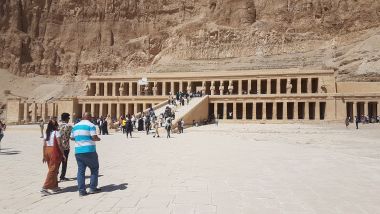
column 296, row 85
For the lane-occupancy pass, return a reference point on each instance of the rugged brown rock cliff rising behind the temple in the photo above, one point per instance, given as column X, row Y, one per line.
column 80, row 37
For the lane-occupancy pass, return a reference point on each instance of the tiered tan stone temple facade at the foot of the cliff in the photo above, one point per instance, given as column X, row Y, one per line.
column 275, row 96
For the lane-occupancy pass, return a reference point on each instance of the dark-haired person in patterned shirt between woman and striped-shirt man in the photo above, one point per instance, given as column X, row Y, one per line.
column 65, row 132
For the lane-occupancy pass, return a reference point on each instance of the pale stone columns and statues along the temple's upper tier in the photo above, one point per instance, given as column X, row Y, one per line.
column 212, row 88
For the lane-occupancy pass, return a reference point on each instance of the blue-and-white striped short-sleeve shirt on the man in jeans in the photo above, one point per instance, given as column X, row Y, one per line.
column 82, row 133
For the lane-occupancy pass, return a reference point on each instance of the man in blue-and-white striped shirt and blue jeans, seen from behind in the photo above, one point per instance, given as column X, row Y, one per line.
column 84, row 134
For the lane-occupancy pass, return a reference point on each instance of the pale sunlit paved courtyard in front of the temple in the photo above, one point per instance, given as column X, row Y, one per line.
column 229, row 169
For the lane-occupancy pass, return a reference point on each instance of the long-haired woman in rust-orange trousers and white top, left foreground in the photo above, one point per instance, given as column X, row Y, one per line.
column 52, row 154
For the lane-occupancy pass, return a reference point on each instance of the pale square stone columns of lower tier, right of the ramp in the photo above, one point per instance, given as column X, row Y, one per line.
column 274, row 110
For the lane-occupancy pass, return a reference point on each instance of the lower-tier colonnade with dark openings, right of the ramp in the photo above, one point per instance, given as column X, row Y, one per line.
column 267, row 110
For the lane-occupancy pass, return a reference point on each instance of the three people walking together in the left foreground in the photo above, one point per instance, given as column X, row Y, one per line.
column 56, row 149
